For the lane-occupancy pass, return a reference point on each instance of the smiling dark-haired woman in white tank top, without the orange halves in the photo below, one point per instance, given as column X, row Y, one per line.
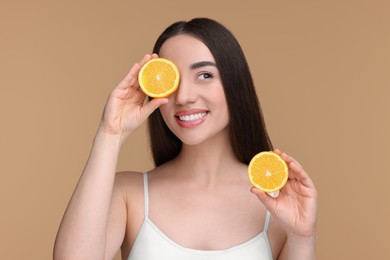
column 196, row 203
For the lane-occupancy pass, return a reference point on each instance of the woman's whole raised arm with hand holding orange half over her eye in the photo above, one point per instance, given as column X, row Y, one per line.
column 83, row 233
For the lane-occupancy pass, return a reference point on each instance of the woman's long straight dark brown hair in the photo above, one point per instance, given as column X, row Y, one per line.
column 248, row 134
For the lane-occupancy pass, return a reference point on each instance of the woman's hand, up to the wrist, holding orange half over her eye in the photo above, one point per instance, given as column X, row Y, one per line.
column 126, row 108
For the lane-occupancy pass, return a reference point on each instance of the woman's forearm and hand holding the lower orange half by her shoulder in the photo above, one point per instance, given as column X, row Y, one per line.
column 296, row 210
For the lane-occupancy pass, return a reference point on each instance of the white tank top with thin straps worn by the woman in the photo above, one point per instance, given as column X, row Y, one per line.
column 152, row 244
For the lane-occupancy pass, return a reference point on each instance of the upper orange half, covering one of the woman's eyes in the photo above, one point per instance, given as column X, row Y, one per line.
column 159, row 77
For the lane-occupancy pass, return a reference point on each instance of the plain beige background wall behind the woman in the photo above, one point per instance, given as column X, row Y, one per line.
column 322, row 73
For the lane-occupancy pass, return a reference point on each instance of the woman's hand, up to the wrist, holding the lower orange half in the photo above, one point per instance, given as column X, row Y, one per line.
column 296, row 206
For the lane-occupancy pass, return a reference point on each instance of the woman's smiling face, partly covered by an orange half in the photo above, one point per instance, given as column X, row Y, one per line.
column 197, row 111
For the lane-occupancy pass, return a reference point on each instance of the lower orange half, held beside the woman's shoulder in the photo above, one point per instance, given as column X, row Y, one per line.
column 268, row 172
